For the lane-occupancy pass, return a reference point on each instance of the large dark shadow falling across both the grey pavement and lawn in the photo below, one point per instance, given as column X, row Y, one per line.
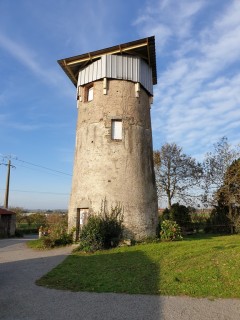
column 20, row 298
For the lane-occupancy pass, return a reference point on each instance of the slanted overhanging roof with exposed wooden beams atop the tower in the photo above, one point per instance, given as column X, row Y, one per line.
column 143, row 48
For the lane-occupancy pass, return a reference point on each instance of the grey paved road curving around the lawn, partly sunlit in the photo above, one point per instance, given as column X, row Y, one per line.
column 21, row 299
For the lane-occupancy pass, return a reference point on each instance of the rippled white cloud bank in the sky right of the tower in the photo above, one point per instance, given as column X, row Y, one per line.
column 197, row 97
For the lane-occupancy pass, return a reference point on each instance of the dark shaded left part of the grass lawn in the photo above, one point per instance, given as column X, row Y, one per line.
column 119, row 272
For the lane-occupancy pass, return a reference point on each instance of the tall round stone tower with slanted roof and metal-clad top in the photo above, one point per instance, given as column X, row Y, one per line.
column 113, row 155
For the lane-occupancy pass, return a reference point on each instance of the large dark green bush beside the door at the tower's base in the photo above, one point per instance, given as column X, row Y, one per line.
column 102, row 231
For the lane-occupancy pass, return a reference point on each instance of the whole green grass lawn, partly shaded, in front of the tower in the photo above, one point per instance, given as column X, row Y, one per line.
column 206, row 266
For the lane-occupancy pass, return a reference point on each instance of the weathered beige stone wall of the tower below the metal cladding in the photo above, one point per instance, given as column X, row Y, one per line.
column 118, row 171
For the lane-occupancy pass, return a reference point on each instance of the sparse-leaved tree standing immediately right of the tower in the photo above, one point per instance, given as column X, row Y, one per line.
column 177, row 174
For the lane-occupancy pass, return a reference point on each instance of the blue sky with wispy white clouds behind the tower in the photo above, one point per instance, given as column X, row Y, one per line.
column 196, row 100
